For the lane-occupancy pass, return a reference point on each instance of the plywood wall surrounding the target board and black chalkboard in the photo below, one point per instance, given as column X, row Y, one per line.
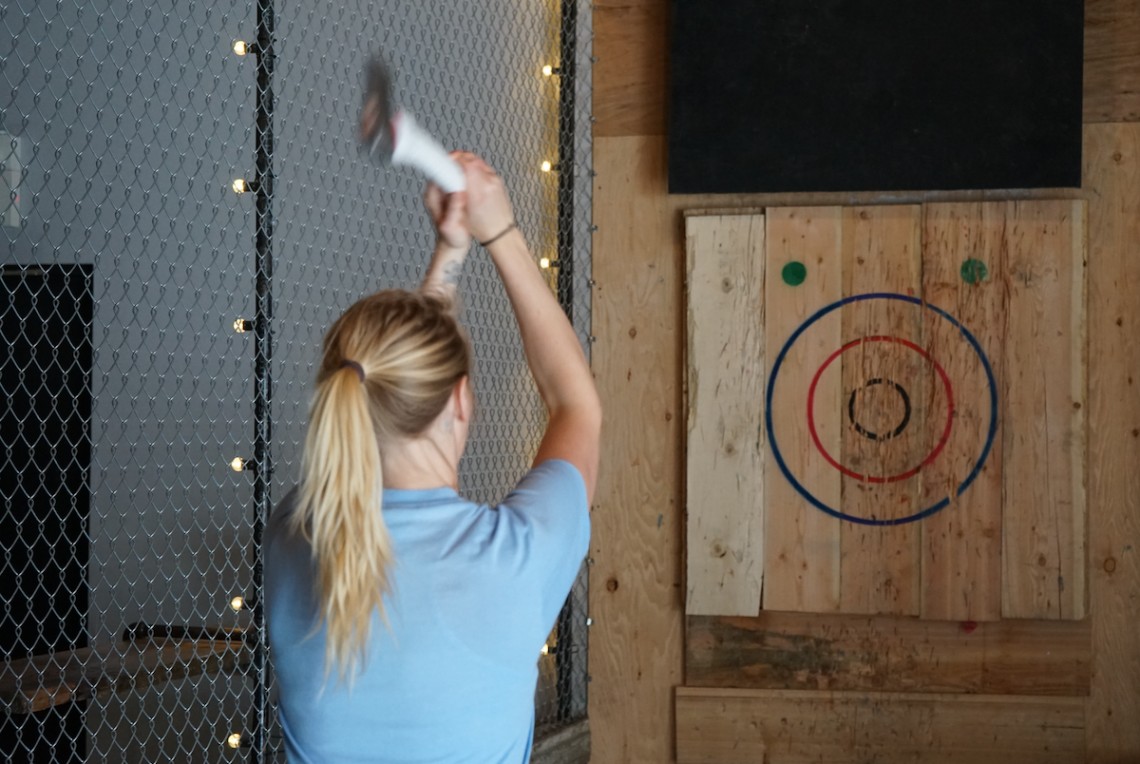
column 638, row 644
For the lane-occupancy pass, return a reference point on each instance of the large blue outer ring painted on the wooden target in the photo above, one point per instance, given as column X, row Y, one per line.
column 991, row 434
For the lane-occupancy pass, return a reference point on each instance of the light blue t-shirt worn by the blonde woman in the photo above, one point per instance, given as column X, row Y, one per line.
column 476, row 594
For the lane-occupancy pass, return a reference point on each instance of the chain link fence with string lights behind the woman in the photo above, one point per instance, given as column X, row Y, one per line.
column 162, row 331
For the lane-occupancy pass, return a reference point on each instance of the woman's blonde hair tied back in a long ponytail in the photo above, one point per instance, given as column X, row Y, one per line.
column 411, row 353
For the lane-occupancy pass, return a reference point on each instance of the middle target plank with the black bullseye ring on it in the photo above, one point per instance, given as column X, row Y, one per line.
column 883, row 410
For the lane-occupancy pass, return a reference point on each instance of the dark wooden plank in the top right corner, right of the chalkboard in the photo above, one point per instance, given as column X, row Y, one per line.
column 1112, row 61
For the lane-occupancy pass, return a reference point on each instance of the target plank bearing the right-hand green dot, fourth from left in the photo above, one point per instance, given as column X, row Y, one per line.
column 962, row 544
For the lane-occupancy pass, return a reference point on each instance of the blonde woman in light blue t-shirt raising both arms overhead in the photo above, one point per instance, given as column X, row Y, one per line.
column 405, row 622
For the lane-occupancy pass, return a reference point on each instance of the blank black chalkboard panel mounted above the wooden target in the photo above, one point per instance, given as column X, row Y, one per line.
column 875, row 95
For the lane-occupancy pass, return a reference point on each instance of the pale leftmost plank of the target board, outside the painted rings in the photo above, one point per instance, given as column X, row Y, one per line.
column 726, row 388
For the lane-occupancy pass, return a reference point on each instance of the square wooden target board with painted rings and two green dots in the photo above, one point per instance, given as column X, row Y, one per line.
column 886, row 411
